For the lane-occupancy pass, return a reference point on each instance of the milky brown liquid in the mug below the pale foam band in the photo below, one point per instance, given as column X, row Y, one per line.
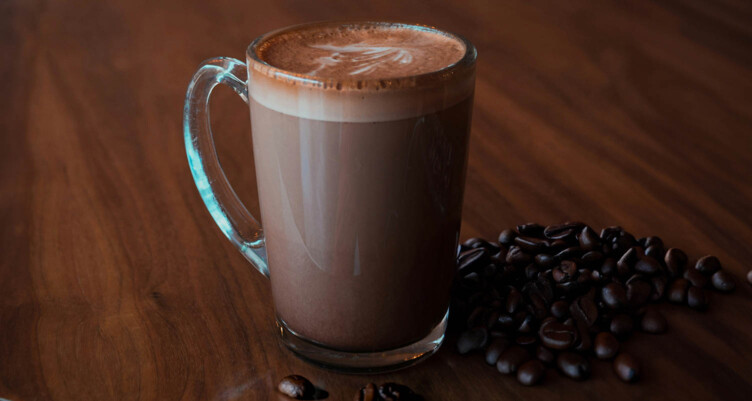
column 361, row 222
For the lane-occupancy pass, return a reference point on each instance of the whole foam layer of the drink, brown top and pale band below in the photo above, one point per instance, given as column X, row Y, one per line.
column 360, row 72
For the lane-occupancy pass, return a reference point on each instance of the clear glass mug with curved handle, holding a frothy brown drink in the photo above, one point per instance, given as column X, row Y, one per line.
column 360, row 184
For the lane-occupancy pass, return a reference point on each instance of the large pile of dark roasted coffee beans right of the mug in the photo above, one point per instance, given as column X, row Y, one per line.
column 559, row 295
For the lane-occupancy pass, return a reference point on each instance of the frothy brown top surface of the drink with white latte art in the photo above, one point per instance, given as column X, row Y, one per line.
column 373, row 52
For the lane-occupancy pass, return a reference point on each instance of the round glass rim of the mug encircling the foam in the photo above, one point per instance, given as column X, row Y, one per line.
column 464, row 64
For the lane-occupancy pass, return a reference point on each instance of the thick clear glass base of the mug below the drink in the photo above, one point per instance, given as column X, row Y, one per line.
column 364, row 362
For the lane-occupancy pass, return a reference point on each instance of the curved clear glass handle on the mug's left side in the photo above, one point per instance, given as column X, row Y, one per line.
column 229, row 213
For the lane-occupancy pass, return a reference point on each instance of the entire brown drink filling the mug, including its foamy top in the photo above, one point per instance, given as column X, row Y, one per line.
column 360, row 174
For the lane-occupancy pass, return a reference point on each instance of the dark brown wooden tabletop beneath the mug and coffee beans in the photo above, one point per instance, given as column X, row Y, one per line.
column 116, row 285
